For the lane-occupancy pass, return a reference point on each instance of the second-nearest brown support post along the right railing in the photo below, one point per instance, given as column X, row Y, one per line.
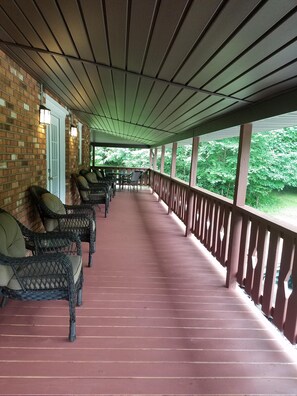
column 192, row 183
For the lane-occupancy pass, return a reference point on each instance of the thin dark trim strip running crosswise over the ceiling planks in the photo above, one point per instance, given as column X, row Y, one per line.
column 127, row 72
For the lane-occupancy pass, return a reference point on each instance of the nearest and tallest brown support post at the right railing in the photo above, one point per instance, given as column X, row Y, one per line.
column 239, row 200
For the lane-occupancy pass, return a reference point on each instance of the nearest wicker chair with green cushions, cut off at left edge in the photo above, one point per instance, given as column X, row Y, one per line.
column 53, row 272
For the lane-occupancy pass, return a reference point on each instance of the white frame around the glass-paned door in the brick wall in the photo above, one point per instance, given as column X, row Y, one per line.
column 60, row 112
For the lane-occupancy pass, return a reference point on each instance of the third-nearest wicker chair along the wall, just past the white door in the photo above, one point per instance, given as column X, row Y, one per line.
column 91, row 195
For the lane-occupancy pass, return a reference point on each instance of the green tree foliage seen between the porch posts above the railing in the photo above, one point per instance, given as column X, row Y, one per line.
column 272, row 166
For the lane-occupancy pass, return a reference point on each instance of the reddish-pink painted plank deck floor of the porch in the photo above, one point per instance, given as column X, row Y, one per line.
column 156, row 320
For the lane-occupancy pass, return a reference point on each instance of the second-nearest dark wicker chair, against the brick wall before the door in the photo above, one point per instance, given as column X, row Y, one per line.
column 56, row 216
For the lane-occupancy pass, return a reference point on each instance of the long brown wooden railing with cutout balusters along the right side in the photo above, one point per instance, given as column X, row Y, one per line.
column 266, row 255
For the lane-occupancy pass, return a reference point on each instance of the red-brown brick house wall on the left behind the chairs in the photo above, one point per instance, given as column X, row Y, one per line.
column 23, row 143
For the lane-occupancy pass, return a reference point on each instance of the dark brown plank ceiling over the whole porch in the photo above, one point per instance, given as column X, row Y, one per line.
column 156, row 71
